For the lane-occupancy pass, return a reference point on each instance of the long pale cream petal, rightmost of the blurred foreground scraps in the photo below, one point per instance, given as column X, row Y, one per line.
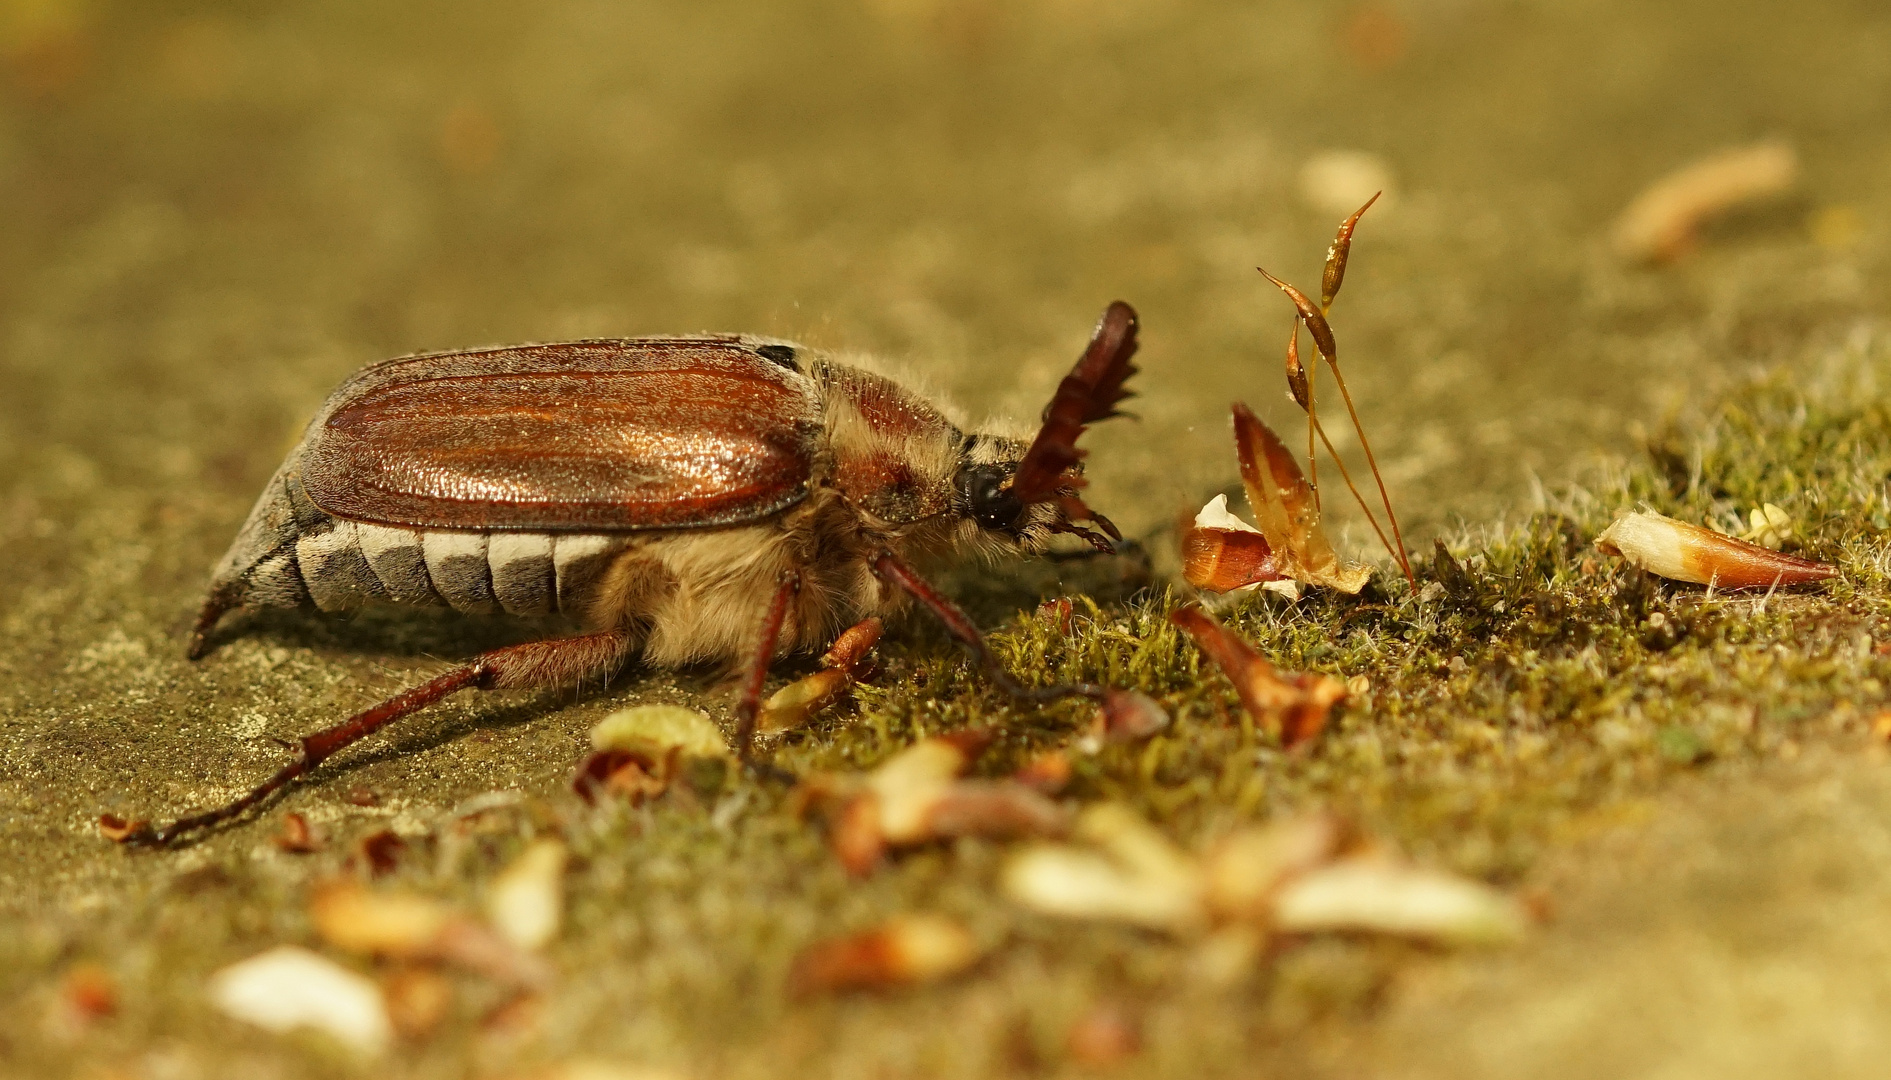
column 1389, row 897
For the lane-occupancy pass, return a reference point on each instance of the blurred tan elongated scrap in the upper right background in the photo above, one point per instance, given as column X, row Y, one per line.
column 1663, row 222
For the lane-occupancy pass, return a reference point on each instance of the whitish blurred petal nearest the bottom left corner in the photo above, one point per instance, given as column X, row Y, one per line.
column 290, row 988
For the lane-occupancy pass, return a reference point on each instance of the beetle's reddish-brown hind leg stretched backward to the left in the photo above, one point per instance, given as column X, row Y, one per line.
column 513, row 669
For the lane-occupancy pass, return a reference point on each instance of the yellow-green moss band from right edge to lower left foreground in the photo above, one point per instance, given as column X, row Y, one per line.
column 1531, row 695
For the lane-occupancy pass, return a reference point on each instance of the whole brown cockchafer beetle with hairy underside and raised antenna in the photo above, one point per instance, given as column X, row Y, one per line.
column 699, row 498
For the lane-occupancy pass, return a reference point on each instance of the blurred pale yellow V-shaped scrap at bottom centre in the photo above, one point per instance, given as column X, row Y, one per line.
column 1130, row 873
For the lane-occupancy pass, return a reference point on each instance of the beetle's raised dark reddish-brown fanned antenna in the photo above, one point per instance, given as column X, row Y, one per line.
column 1086, row 396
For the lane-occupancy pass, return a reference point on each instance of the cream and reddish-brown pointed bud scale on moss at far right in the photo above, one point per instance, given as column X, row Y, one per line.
column 1680, row 551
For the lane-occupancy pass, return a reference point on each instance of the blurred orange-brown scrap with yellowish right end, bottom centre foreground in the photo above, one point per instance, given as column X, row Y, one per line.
column 901, row 952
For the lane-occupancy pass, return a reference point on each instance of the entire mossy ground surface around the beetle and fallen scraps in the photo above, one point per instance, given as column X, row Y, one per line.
column 215, row 213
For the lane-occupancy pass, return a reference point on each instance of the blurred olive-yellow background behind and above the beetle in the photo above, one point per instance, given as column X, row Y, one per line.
column 213, row 213
